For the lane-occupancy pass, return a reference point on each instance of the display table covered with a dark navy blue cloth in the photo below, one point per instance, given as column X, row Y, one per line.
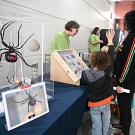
column 64, row 118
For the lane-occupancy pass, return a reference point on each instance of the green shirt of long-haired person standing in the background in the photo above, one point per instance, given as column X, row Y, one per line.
column 95, row 47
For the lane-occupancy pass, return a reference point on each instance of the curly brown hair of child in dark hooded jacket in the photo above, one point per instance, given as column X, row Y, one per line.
column 101, row 60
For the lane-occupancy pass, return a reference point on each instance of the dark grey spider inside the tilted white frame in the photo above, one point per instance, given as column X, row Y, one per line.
column 30, row 99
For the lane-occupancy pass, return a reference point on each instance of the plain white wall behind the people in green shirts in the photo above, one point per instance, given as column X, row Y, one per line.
column 55, row 13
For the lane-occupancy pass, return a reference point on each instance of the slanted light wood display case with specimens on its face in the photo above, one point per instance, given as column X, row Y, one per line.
column 66, row 66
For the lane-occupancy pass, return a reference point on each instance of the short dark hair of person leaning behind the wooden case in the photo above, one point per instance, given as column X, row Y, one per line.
column 71, row 24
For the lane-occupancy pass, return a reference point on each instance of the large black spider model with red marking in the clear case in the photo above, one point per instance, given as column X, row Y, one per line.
column 11, row 51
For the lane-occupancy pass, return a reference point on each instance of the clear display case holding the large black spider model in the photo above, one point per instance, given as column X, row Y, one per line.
column 21, row 52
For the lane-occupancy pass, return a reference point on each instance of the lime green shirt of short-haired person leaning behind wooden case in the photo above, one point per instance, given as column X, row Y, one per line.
column 61, row 41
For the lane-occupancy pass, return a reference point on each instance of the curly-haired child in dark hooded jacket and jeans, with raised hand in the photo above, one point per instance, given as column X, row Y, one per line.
column 100, row 88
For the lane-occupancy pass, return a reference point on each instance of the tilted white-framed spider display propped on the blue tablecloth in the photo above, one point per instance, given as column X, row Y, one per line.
column 24, row 105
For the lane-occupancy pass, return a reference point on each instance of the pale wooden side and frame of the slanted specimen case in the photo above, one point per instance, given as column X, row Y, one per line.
column 61, row 71
